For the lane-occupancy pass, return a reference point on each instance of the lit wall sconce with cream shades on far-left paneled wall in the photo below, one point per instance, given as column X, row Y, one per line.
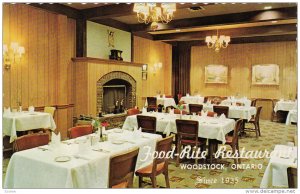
column 12, row 54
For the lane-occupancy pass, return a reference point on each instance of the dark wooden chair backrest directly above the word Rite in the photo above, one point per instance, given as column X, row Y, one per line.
column 187, row 129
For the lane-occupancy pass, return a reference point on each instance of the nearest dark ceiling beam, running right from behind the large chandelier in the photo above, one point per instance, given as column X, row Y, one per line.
column 235, row 18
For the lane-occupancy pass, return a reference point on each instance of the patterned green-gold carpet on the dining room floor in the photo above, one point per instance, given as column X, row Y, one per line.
column 271, row 134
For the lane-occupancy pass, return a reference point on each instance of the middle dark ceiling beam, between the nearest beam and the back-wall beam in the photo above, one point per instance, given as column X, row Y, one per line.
column 238, row 32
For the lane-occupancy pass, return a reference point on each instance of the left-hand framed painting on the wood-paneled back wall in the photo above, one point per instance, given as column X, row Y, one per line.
column 216, row 74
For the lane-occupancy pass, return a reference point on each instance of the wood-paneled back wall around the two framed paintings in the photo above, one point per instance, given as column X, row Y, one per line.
column 239, row 58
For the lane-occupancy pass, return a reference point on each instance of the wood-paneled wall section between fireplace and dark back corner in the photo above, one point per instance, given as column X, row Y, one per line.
column 151, row 52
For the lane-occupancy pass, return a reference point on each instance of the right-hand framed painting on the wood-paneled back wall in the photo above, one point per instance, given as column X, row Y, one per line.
column 266, row 74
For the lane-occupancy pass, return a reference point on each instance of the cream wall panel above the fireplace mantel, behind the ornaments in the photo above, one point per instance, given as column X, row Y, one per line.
column 97, row 41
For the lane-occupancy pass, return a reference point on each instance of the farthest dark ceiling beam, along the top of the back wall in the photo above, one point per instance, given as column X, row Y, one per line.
column 242, row 40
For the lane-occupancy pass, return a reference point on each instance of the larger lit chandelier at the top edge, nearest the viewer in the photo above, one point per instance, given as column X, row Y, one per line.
column 152, row 13
